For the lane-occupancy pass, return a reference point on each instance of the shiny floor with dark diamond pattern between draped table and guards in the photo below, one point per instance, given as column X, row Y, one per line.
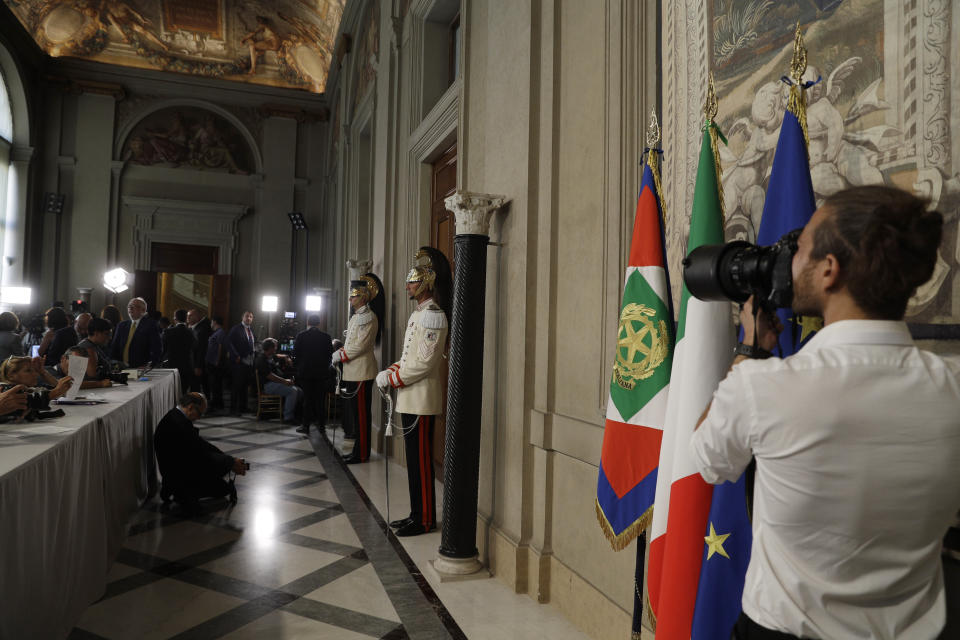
column 302, row 555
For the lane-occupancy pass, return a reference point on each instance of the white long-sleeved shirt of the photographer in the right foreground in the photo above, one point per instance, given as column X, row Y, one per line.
column 857, row 442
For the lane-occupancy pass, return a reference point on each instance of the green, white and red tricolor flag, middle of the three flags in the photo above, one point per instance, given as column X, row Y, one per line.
column 704, row 349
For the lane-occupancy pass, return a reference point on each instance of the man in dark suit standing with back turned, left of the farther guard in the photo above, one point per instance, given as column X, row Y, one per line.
column 311, row 353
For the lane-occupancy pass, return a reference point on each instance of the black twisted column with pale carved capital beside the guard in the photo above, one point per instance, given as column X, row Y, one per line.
column 461, row 463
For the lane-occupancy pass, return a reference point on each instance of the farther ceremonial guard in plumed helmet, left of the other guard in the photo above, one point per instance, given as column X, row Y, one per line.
column 359, row 362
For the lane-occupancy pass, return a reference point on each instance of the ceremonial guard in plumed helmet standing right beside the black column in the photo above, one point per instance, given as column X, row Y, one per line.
column 418, row 378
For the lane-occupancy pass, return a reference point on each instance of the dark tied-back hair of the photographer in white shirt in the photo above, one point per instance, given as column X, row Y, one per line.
column 886, row 243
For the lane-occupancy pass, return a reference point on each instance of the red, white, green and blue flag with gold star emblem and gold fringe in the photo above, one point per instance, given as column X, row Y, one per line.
column 640, row 380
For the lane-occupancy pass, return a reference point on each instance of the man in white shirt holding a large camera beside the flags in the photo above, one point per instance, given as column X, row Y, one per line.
column 856, row 437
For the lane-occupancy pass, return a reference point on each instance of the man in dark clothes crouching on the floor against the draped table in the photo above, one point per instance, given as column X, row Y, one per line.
column 191, row 467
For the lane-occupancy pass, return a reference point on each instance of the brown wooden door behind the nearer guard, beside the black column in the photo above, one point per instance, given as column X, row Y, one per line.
column 442, row 231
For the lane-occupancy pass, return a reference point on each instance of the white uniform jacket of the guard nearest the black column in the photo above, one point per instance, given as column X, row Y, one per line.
column 417, row 375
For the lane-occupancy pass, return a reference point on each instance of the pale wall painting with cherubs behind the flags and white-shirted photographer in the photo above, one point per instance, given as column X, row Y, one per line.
column 879, row 114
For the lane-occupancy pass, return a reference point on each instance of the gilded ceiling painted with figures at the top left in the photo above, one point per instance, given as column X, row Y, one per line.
column 280, row 43
